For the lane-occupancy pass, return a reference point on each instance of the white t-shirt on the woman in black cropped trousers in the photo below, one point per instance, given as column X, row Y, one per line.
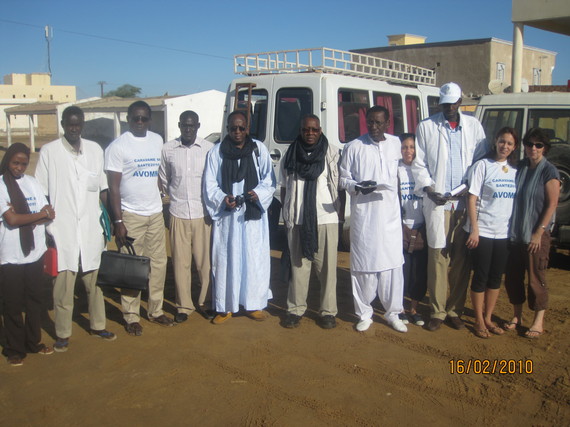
column 494, row 185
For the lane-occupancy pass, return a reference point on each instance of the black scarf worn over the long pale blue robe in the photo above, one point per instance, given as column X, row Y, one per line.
column 232, row 172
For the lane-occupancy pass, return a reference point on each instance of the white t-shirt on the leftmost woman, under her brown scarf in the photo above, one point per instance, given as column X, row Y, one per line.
column 10, row 247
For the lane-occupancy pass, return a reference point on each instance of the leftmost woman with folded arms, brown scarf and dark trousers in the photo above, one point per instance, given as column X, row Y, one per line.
column 24, row 211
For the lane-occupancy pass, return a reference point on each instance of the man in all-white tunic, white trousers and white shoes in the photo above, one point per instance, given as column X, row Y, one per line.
column 368, row 171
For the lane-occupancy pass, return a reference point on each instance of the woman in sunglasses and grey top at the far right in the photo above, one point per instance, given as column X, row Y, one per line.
column 538, row 188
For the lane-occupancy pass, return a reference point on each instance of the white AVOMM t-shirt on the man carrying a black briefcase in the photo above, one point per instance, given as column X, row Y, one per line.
column 138, row 159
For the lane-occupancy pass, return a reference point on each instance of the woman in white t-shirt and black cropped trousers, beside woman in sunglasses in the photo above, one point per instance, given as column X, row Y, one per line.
column 491, row 193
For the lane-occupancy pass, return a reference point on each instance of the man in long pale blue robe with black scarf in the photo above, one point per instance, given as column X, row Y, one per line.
column 240, row 227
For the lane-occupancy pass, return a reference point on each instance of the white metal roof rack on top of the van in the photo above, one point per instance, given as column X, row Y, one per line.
column 332, row 61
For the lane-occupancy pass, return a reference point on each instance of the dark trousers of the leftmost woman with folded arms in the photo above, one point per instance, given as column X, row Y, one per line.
column 22, row 291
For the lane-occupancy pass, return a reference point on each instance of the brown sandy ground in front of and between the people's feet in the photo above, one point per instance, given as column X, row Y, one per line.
column 259, row 373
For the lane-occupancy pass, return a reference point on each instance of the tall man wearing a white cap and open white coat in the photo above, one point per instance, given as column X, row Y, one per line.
column 447, row 144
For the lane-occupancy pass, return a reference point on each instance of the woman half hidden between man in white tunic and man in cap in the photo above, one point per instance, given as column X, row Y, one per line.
column 414, row 231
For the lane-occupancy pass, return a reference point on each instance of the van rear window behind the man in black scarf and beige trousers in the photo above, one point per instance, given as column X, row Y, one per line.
column 290, row 105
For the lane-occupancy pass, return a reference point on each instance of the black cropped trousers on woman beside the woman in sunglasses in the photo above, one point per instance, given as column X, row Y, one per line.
column 489, row 260
